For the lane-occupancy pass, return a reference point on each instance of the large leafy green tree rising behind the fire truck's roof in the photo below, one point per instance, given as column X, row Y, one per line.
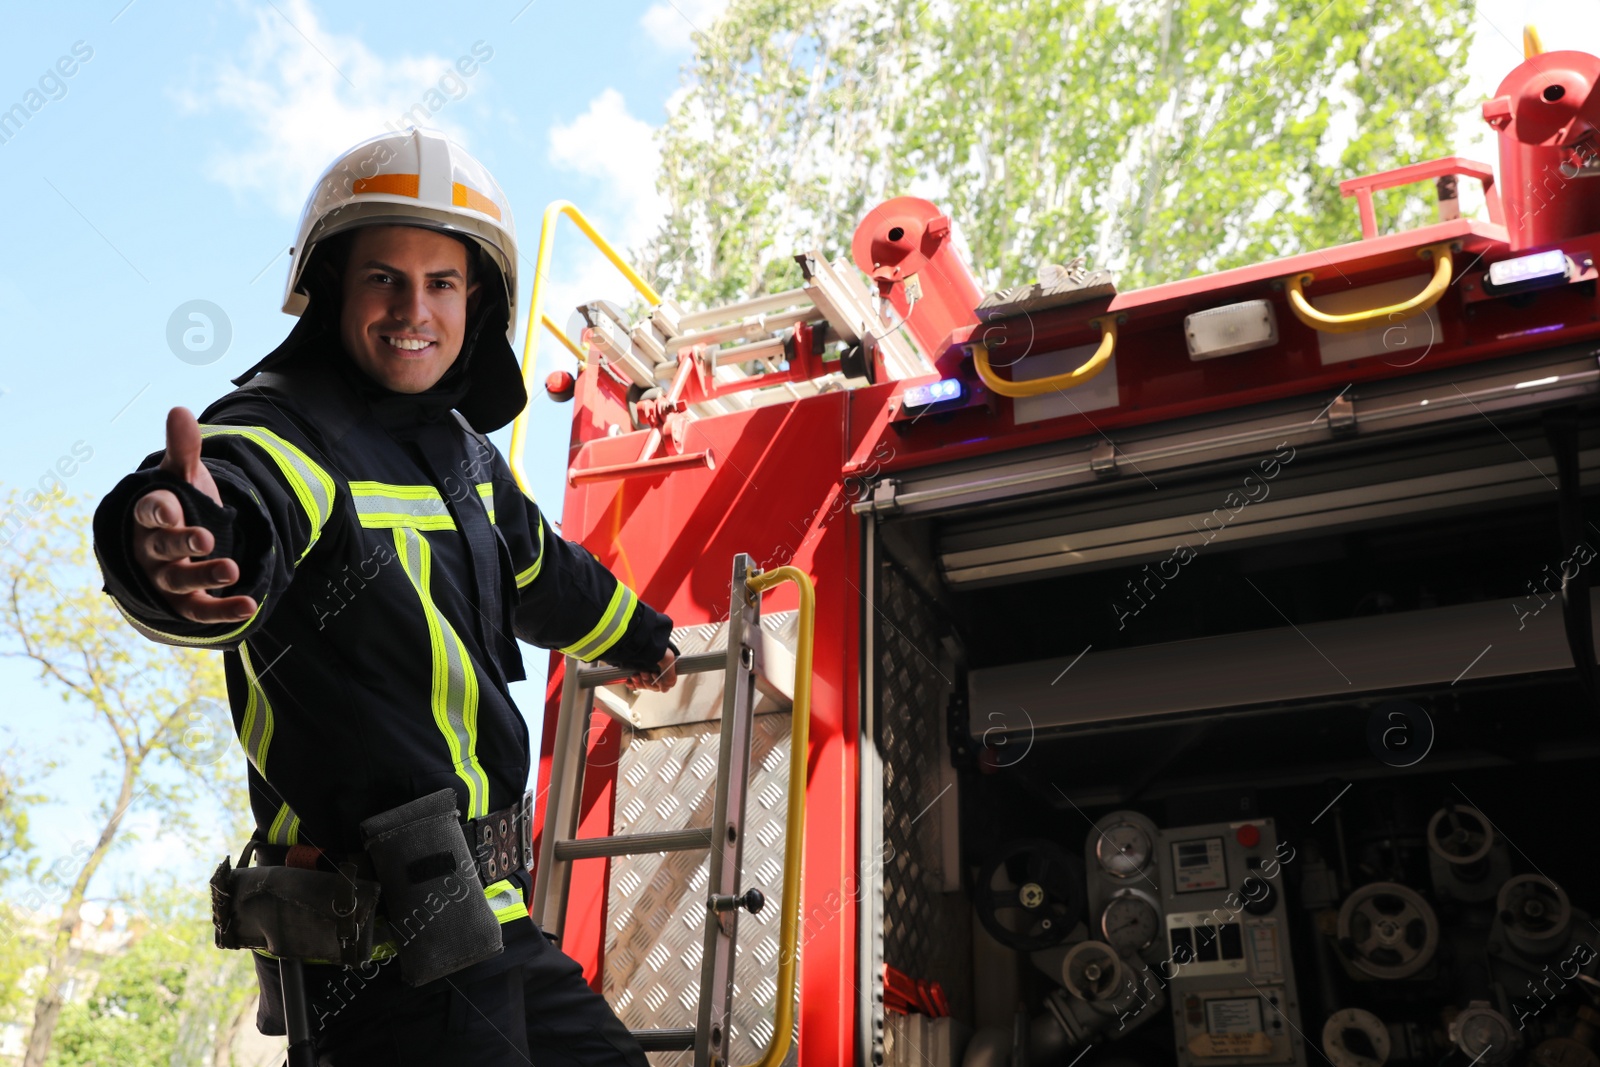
column 1161, row 140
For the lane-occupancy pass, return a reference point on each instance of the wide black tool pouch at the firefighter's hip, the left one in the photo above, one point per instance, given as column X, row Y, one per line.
column 295, row 914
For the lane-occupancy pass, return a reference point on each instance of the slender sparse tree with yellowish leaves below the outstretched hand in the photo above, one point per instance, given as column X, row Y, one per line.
column 159, row 711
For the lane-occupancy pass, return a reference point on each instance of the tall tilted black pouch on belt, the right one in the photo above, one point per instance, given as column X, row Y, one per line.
column 433, row 895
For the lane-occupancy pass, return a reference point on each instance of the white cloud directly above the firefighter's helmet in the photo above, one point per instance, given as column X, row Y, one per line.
column 305, row 95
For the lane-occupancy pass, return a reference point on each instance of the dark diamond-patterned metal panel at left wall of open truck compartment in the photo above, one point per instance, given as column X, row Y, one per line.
column 913, row 697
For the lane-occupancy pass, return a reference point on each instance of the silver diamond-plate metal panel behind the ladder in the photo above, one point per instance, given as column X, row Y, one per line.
column 655, row 938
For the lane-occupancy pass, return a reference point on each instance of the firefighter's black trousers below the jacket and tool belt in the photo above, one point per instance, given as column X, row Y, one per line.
column 540, row 1012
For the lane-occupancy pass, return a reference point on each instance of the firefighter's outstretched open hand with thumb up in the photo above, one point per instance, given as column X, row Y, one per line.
column 169, row 551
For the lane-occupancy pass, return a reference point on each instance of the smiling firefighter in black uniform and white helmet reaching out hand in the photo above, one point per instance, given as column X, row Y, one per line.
column 345, row 532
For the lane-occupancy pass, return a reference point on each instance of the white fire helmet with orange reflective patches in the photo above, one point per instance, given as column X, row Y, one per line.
column 415, row 178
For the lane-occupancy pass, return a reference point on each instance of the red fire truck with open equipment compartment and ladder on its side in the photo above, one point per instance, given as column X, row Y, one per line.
column 1201, row 674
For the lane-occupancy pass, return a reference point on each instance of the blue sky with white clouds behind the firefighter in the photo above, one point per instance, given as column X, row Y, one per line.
column 172, row 164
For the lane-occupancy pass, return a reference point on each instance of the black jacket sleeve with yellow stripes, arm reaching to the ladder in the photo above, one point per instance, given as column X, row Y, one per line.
column 566, row 597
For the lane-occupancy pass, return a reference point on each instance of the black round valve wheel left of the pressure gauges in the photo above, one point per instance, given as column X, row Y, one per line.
column 1030, row 895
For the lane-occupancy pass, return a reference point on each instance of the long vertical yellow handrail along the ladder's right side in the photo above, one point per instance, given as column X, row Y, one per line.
column 794, row 828
